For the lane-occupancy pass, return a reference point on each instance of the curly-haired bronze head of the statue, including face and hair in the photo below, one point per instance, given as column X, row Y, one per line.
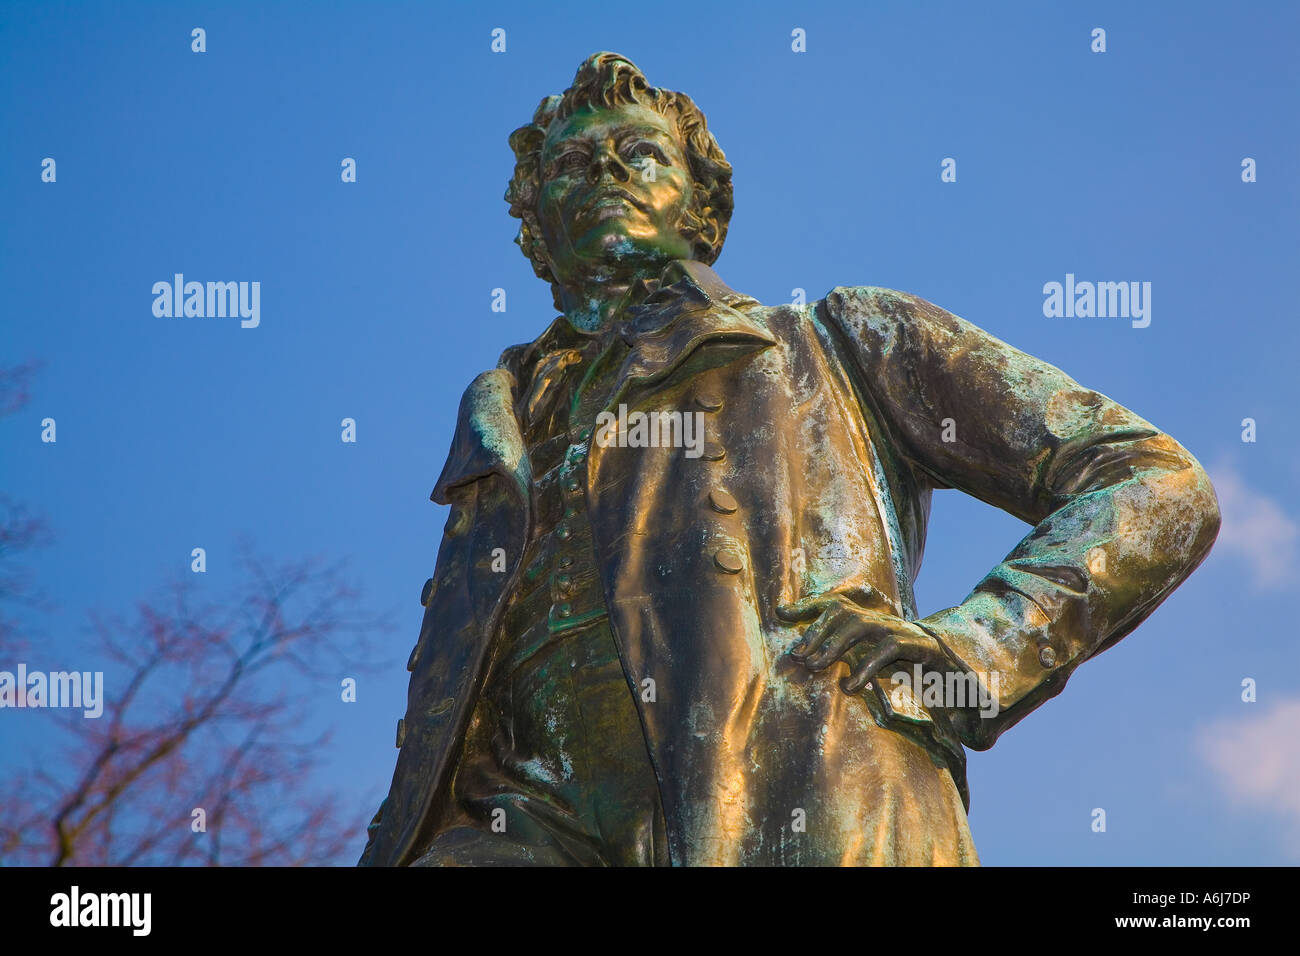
column 617, row 179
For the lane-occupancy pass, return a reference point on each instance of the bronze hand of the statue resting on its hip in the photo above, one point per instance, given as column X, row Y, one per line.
column 868, row 641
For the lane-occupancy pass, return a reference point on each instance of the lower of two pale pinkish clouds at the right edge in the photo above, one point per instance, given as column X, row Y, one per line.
column 1256, row 762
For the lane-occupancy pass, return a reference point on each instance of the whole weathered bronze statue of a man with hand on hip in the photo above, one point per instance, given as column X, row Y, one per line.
column 673, row 616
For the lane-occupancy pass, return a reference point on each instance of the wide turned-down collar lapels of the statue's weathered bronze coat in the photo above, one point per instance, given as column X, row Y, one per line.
column 688, row 322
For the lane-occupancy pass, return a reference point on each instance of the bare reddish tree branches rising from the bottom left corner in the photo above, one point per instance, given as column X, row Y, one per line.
column 206, row 716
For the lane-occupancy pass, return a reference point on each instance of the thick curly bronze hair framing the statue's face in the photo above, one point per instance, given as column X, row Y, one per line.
column 608, row 80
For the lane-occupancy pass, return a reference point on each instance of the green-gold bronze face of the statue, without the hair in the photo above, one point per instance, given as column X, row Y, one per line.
column 616, row 187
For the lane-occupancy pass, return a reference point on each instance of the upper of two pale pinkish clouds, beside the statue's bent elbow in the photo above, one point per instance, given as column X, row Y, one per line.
column 1256, row 530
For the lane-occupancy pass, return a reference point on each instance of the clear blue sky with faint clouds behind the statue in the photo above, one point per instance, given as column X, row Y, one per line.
column 376, row 297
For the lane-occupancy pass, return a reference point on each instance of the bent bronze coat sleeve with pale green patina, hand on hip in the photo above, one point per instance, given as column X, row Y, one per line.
column 1123, row 513
